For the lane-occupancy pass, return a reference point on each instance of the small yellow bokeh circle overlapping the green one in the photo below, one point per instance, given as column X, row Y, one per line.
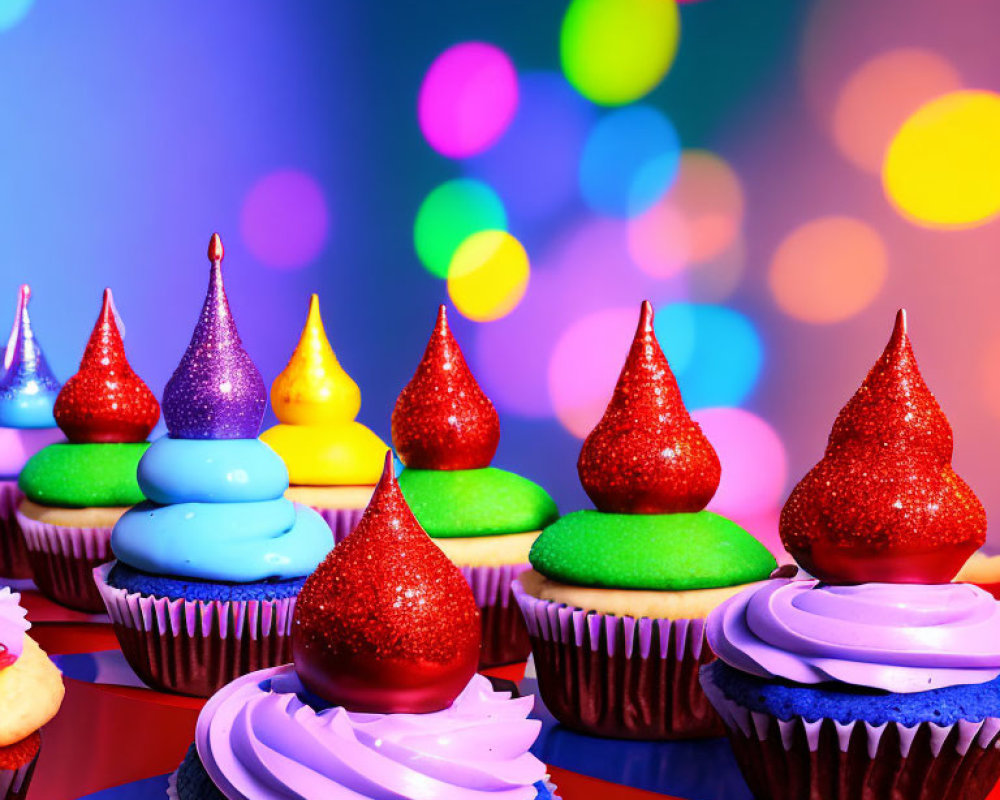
column 488, row 275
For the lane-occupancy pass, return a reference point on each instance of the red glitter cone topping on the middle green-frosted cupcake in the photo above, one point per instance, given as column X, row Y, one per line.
column 442, row 419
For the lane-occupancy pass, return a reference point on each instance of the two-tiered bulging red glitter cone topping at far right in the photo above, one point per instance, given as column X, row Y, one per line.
column 884, row 504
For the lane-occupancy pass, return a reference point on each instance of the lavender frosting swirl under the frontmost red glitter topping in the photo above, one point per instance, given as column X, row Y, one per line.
column 257, row 739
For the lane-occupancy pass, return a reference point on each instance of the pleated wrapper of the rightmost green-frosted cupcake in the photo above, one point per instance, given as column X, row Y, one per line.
column 620, row 677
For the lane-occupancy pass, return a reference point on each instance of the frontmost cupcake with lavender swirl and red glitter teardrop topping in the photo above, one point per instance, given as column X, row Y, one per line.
column 382, row 700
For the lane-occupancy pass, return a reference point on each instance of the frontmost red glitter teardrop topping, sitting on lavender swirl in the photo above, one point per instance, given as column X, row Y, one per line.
column 386, row 623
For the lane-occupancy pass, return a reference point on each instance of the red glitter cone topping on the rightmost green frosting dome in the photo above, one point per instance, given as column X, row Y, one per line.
column 646, row 455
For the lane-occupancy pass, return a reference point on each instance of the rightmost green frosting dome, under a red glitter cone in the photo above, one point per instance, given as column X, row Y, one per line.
column 669, row 552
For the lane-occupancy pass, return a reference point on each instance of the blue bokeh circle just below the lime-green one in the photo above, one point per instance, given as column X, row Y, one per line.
column 630, row 159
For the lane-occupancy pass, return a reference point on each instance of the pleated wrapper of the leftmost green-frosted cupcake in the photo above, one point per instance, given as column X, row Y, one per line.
column 63, row 561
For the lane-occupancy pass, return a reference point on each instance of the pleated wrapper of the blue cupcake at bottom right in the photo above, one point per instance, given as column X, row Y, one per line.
column 801, row 759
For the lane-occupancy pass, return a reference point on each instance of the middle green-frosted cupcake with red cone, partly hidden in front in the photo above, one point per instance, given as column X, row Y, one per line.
column 446, row 432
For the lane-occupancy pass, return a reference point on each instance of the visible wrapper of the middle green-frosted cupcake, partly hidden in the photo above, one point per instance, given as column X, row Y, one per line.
column 505, row 637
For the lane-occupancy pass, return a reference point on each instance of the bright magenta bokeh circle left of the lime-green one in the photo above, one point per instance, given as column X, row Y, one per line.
column 467, row 99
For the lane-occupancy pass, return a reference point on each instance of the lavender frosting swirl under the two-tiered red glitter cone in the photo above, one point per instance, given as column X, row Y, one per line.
column 895, row 637
